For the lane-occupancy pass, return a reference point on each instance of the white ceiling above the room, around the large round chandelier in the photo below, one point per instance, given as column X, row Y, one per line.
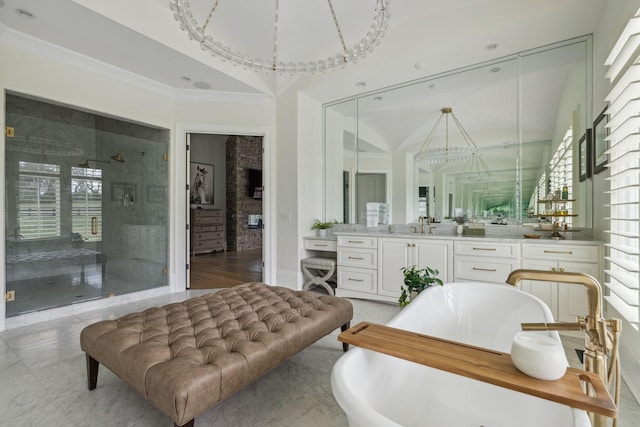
column 142, row 37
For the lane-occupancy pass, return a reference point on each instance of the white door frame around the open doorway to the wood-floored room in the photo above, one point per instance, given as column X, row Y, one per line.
column 179, row 198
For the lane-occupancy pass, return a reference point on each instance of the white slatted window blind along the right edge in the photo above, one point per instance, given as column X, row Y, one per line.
column 622, row 273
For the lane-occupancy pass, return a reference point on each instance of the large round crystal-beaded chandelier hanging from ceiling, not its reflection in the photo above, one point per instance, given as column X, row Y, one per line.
column 196, row 26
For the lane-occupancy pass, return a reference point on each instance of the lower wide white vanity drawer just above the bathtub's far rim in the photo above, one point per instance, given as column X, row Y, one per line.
column 483, row 269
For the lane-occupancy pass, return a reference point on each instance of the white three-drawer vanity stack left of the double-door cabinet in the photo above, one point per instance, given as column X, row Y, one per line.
column 357, row 266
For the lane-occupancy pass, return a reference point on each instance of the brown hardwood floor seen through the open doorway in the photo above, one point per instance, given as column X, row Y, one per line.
column 225, row 269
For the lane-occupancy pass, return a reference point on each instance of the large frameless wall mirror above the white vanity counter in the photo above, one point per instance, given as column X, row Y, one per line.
column 525, row 113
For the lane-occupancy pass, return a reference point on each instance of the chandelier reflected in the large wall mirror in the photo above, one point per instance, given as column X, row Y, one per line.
column 447, row 152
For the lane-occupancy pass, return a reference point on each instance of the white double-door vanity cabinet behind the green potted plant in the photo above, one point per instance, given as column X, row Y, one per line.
column 396, row 253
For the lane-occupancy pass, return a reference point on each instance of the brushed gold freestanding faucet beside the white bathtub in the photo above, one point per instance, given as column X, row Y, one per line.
column 598, row 342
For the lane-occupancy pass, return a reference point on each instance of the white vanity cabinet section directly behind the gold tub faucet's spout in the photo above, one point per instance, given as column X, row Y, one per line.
column 565, row 300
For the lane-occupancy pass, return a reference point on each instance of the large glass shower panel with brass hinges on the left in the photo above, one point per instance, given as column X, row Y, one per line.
column 86, row 211
